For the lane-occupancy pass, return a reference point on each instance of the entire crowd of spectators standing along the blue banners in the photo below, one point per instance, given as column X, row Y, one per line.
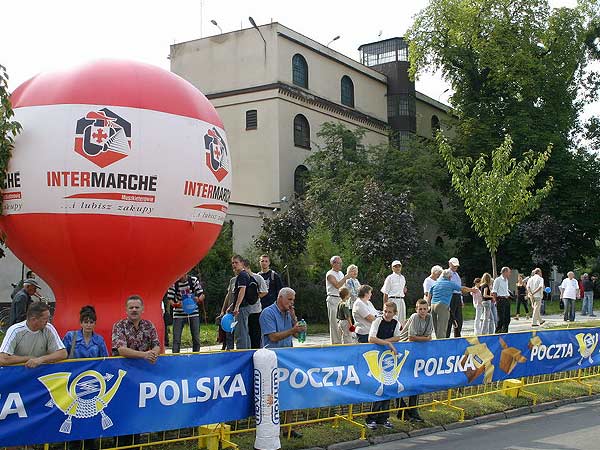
column 265, row 315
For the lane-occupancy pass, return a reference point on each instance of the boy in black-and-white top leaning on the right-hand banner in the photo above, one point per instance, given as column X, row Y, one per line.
column 384, row 331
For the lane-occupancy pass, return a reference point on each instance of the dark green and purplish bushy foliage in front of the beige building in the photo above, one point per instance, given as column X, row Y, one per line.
column 358, row 206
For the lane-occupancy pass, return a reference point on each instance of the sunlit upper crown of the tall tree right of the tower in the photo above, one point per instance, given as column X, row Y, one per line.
column 515, row 67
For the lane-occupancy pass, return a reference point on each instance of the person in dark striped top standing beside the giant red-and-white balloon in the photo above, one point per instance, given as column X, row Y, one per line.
column 187, row 284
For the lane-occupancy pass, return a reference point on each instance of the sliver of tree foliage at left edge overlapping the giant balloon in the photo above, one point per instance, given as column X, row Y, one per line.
column 9, row 129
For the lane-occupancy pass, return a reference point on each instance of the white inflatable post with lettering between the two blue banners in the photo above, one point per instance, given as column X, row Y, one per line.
column 266, row 400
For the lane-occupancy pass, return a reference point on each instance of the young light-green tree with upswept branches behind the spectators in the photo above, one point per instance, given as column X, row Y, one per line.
column 497, row 191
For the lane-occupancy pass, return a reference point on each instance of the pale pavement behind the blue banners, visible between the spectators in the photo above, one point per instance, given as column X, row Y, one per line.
column 320, row 340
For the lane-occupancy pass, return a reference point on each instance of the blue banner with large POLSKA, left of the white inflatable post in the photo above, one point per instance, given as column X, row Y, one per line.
column 84, row 399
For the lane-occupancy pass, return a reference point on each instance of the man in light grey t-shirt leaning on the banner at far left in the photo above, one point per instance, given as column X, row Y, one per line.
column 33, row 341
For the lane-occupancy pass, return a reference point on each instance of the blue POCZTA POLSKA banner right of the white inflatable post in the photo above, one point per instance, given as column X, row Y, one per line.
column 363, row 373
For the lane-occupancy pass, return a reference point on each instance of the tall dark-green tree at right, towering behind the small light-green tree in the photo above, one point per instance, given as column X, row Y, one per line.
column 521, row 68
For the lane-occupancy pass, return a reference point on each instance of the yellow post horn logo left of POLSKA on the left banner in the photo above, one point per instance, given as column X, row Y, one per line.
column 84, row 397
